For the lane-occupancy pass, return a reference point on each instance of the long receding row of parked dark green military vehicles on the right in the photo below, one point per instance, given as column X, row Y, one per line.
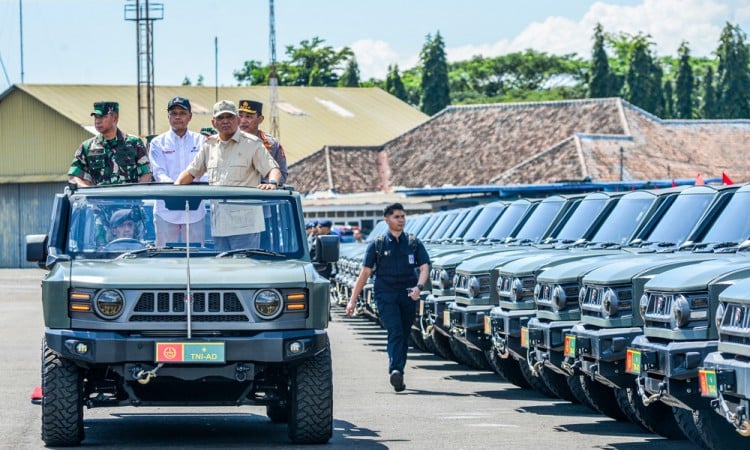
column 635, row 304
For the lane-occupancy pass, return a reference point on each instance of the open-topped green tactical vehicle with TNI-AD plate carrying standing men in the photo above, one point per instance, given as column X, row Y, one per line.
column 130, row 323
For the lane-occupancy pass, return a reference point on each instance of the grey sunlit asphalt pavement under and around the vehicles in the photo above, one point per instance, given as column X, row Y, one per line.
column 445, row 404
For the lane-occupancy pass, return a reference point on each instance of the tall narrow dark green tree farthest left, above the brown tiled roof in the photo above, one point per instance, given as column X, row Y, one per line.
column 435, row 90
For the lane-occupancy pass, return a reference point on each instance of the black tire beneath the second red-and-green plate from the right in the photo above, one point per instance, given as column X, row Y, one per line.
column 656, row 418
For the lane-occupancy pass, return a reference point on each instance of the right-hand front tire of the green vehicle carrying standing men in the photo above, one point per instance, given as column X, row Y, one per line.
column 311, row 400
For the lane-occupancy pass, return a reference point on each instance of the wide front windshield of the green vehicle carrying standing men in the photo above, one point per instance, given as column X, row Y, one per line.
column 105, row 227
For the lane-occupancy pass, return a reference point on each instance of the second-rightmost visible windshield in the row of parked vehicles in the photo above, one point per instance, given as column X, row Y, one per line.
column 680, row 218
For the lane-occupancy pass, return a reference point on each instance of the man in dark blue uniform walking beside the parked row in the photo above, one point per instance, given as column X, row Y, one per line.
column 401, row 267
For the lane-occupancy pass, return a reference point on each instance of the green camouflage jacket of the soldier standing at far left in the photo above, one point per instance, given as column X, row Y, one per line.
column 123, row 159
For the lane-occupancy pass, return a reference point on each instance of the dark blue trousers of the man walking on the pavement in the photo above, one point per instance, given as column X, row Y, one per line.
column 397, row 312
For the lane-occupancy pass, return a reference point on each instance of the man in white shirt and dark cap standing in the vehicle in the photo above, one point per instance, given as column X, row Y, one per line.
column 170, row 153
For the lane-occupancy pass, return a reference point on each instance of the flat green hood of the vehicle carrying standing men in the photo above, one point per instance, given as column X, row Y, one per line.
column 204, row 272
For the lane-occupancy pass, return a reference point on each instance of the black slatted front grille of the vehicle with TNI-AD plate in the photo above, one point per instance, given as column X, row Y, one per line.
column 169, row 306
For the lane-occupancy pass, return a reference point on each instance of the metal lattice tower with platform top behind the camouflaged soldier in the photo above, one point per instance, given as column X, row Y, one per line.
column 144, row 14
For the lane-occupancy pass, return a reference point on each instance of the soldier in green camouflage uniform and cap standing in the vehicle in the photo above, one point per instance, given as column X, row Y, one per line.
column 111, row 157
